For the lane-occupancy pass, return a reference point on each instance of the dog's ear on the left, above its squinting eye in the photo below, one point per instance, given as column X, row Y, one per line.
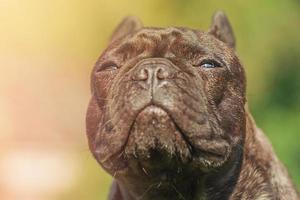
column 128, row 25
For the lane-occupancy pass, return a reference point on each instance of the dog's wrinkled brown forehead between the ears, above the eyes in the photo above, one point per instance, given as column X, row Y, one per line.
column 158, row 41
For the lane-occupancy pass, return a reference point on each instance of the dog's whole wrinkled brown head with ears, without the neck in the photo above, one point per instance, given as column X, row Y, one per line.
column 167, row 100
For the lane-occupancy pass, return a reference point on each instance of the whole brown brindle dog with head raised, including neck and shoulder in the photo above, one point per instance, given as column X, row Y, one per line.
column 168, row 118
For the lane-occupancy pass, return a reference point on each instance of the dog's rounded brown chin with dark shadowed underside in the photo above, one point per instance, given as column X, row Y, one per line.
column 156, row 147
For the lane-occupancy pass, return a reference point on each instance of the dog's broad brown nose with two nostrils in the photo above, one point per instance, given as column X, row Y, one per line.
column 153, row 70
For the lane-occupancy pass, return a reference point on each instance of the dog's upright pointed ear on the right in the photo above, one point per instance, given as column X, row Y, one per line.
column 221, row 29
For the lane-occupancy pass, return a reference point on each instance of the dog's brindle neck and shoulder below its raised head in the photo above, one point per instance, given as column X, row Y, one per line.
column 247, row 173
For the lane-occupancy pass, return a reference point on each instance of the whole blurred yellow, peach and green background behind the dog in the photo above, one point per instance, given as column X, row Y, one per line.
column 48, row 48
